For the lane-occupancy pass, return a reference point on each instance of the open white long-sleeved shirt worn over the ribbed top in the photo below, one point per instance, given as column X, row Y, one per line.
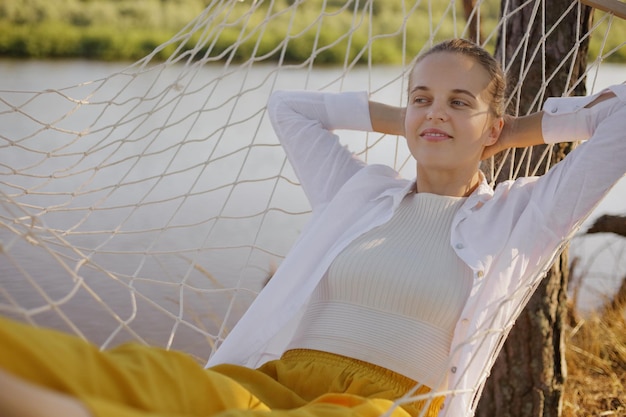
column 508, row 237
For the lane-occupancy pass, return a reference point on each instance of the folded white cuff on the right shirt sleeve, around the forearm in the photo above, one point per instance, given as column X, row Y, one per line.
column 567, row 120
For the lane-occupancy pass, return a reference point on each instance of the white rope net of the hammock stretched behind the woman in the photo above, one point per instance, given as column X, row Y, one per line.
column 152, row 204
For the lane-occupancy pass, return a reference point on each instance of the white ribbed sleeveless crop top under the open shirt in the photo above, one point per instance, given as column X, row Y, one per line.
column 393, row 296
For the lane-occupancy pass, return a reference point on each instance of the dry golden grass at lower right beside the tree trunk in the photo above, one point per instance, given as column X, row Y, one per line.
column 596, row 361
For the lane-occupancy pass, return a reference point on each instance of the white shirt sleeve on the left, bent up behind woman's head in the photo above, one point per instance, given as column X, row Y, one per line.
column 304, row 122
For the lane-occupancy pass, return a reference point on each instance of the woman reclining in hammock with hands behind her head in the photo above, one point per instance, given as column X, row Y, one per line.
column 396, row 287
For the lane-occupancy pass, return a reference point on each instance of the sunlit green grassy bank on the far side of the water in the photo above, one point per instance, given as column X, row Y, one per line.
column 129, row 30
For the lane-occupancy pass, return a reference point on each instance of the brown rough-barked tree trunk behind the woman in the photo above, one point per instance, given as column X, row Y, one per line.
column 528, row 377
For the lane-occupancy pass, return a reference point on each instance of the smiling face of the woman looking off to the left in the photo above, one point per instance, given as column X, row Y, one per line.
column 448, row 119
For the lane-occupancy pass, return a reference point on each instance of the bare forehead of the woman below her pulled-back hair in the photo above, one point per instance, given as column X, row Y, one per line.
column 449, row 71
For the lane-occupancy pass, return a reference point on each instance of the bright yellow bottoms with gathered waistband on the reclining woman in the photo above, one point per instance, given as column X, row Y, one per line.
column 133, row 380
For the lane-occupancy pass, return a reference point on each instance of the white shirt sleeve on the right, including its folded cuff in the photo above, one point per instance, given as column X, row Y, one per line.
column 573, row 187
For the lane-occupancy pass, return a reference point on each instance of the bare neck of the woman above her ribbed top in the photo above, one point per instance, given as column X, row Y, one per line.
column 447, row 183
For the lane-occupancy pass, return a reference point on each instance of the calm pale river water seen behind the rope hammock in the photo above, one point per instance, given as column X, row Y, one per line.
column 602, row 257
